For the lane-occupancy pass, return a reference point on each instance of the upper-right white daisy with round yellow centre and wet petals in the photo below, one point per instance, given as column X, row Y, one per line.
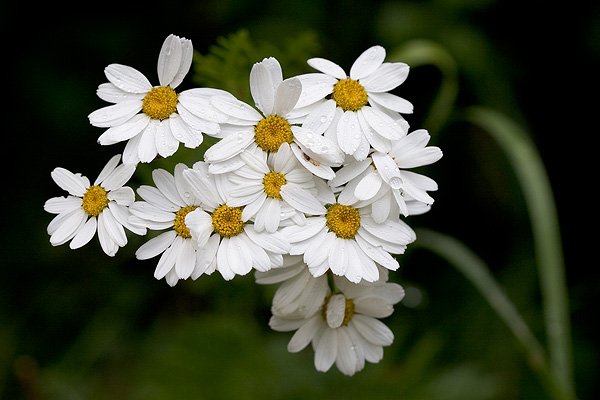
column 357, row 111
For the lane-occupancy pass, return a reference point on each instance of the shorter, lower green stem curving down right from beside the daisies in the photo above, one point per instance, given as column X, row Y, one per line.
column 477, row 272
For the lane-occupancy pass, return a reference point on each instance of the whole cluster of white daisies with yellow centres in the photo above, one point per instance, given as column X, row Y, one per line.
column 307, row 187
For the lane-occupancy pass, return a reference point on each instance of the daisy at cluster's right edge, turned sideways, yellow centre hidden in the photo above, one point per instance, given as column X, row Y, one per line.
column 383, row 176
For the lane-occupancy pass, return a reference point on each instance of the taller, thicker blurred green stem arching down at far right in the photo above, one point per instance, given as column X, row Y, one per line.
column 535, row 185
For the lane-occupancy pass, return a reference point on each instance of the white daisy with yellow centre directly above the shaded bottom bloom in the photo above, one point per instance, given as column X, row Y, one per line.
column 349, row 242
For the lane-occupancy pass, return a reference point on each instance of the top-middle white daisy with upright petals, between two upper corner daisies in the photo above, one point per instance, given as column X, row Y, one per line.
column 274, row 121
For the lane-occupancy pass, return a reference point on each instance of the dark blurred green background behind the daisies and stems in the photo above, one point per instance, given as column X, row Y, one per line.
column 81, row 325
